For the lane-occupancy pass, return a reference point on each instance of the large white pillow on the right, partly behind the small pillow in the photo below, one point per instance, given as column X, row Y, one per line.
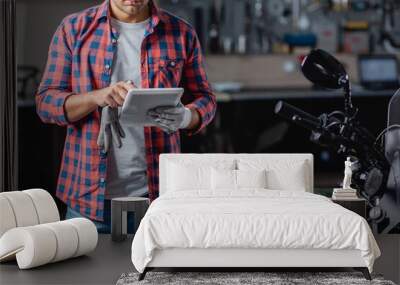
column 291, row 175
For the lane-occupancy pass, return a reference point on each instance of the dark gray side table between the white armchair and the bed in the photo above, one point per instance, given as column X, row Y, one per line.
column 119, row 209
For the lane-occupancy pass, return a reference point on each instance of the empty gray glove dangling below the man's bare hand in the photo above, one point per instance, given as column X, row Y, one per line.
column 110, row 129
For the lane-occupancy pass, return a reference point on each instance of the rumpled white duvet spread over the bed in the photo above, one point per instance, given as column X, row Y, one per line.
column 250, row 219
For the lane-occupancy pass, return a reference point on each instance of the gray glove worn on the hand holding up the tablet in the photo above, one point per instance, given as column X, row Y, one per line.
column 170, row 119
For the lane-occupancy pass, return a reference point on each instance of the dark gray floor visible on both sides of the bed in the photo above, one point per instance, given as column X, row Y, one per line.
column 110, row 259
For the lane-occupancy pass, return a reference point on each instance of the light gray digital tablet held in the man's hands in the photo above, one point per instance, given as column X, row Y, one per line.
column 139, row 101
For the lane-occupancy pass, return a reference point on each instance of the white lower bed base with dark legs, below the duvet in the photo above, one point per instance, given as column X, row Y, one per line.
column 260, row 259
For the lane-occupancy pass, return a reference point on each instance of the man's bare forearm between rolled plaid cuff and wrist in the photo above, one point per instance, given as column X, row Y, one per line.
column 79, row 106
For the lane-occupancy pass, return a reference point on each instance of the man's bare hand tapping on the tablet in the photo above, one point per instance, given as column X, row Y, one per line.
column 114, row 95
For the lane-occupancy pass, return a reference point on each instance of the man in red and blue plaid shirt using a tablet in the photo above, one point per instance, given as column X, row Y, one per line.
column 94, row 58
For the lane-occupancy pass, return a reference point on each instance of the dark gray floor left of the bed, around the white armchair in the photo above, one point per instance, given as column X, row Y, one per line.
column 103, row 266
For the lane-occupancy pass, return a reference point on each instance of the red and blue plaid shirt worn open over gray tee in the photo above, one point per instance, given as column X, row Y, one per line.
column 80, row 60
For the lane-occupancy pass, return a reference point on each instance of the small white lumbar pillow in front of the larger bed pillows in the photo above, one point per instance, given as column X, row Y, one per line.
column 236, row 179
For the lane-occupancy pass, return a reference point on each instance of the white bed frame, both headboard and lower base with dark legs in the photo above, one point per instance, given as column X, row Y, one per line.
column 245, row 259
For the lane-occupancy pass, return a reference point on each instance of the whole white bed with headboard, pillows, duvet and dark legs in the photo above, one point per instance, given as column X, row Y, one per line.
column 202, row 220
